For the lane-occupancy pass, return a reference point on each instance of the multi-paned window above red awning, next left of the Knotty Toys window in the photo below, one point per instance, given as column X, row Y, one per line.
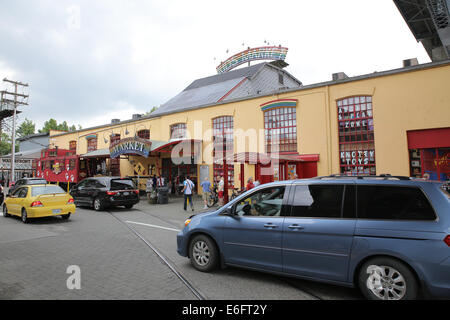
column 280, row 130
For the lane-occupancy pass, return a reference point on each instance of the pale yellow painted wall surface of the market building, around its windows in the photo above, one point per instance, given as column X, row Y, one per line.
column 402, row 101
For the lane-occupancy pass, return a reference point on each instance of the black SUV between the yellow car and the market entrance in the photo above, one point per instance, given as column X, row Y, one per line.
column 103, row 192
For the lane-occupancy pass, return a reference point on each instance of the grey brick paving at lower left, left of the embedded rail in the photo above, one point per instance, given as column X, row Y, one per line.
column 114, row 263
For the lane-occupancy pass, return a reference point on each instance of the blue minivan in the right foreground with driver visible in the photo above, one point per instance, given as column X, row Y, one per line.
column 388, row 236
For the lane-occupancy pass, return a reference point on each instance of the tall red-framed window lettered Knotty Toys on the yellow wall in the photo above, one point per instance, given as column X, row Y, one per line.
column 356, row 136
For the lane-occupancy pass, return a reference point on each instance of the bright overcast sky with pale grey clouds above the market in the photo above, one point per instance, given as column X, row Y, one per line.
column 90, row 61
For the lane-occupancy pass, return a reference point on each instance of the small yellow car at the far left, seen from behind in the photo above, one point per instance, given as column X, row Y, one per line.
column 35, row 201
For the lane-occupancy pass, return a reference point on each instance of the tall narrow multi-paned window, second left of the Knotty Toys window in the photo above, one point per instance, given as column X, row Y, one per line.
column 223, row 144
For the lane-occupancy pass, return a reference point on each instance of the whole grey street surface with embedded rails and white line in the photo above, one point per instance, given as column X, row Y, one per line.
column 128, row 254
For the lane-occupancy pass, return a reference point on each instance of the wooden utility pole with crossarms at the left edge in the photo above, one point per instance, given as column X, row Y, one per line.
column 14, row 100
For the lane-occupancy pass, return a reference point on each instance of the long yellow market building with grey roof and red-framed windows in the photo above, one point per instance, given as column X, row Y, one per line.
column 393, row 122
